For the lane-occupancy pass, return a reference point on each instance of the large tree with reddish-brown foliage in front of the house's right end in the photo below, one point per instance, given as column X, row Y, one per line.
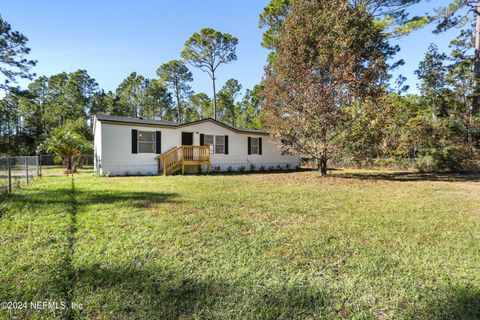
column 321, row 75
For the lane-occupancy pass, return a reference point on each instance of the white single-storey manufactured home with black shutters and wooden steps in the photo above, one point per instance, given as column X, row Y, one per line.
column 132, row 146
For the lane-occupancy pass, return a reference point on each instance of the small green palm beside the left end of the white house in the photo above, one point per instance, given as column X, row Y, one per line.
column 67, row 145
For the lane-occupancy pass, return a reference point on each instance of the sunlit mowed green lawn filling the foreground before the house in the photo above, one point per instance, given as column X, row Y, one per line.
column 261, row 246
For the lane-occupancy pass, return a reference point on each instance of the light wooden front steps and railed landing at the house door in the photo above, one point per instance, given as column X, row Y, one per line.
column 179, row 157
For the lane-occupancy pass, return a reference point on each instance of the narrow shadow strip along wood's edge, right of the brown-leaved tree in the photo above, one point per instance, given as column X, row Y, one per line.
column 408, row 176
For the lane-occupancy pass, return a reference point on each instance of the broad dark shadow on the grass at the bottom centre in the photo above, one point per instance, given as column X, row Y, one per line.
column 163, row 294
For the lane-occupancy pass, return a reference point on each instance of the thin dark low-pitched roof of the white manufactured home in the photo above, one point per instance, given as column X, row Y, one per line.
column 164, row 123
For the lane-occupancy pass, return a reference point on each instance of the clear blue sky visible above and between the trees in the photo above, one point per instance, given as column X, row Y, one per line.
column 110, row 39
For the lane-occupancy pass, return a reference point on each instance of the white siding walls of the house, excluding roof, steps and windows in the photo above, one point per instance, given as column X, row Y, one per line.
column 113, row 144
